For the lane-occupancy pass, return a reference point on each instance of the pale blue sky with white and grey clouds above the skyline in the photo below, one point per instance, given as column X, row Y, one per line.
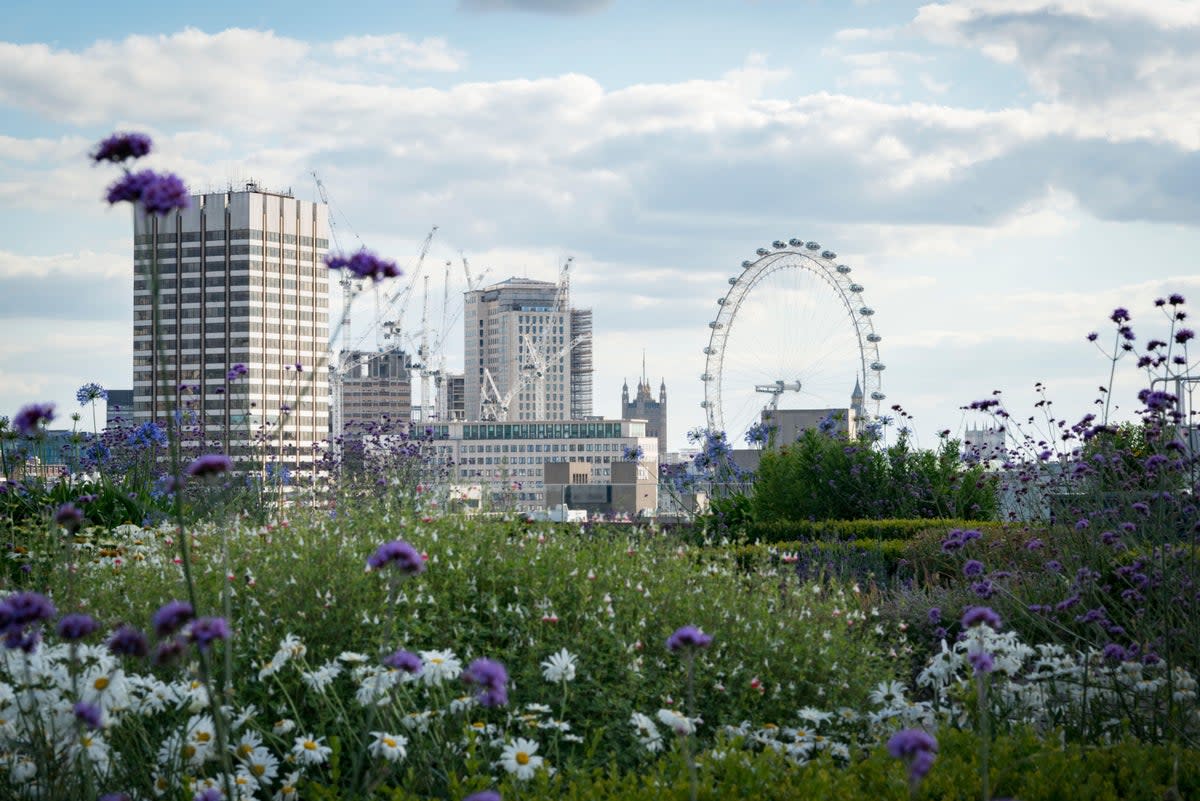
column 1000, row 174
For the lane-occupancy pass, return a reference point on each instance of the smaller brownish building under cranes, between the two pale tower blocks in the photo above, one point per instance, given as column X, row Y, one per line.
column 379, row 387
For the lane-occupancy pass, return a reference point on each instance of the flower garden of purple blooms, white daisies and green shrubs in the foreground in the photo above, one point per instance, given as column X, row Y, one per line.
column 860, row 621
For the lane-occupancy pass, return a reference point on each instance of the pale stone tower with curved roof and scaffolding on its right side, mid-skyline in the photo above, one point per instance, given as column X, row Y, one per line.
column 518, row 348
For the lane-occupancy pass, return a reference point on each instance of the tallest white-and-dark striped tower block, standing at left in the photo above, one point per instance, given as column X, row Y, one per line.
column 241, row 281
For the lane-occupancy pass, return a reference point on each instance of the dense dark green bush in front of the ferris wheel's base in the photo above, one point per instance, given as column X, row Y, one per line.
column 825, row 477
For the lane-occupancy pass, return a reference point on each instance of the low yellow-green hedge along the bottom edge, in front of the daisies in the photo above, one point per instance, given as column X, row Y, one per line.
column 1023, row 767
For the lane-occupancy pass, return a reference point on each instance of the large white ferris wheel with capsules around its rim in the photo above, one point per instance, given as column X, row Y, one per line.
column 793, row 332
